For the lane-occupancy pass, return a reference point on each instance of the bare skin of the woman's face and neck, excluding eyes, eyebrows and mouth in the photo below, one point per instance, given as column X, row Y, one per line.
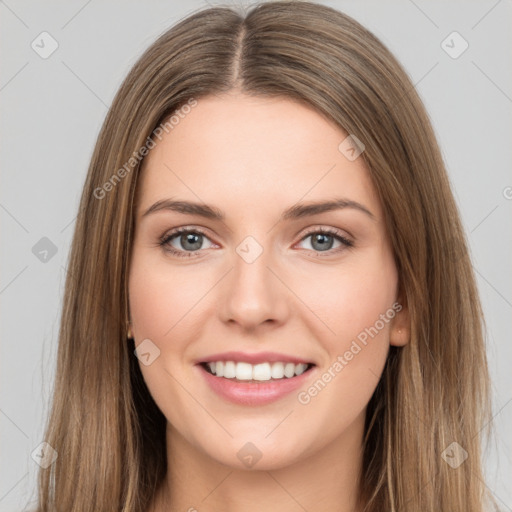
column 253, row 158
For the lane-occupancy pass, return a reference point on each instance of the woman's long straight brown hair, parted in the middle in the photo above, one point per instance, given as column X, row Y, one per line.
column 108, row 432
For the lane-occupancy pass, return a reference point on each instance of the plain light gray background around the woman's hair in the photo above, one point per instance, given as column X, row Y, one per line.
column 52, row 110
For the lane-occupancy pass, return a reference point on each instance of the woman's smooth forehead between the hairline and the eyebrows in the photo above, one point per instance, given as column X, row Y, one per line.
column 255, row 151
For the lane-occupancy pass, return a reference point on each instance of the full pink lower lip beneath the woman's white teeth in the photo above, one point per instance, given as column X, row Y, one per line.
column 254, row 393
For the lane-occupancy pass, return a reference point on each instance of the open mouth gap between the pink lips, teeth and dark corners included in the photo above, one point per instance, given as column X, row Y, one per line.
column 244, row 372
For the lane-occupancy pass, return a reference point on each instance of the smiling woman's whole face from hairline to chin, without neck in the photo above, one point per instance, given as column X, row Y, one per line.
column 260, row 281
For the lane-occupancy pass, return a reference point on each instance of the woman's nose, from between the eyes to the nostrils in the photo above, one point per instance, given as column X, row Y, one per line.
column 253, row 293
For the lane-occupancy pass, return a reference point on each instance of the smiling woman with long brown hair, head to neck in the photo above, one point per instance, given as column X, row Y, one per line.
column 319, row 346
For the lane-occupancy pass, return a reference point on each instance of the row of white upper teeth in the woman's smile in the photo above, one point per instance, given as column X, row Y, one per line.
column 261, row 371
